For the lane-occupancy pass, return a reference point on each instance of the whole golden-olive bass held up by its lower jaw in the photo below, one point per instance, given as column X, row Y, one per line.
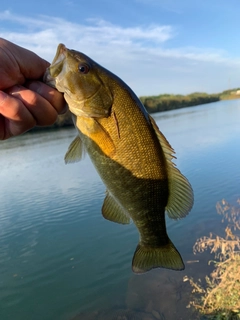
column 130, row 153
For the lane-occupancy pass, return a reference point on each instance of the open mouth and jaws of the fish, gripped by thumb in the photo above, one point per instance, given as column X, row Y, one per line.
column 56, row 66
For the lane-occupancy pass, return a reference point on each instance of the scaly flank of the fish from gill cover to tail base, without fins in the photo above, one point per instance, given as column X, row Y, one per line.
column 145, row 200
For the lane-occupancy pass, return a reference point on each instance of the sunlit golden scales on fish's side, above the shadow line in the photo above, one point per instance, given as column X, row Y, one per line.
column 136, row 147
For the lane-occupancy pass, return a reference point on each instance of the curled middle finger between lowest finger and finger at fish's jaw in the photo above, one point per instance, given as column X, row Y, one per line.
column 40, row 108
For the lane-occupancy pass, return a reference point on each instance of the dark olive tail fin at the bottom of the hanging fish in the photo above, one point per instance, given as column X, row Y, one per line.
column 147, row 258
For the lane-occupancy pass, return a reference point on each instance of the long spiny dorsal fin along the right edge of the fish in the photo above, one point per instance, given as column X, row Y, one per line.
column 180, row 199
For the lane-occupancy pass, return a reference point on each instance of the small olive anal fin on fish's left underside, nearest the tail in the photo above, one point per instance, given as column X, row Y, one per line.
column 112, row 211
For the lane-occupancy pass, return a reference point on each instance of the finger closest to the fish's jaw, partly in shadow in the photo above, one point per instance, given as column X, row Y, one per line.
column 54, row 97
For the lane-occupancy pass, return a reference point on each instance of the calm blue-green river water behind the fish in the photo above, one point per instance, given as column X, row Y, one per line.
column 59, row 258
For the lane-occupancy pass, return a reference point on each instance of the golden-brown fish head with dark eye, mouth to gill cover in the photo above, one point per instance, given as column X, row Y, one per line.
column 80, row 79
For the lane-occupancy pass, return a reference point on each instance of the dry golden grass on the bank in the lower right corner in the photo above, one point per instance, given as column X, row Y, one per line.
column 219, row 297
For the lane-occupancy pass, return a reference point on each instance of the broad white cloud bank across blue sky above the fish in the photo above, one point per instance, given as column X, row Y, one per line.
column 138, row 54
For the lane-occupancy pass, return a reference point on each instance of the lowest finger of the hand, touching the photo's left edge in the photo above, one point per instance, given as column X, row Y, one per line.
column 15, row 118
